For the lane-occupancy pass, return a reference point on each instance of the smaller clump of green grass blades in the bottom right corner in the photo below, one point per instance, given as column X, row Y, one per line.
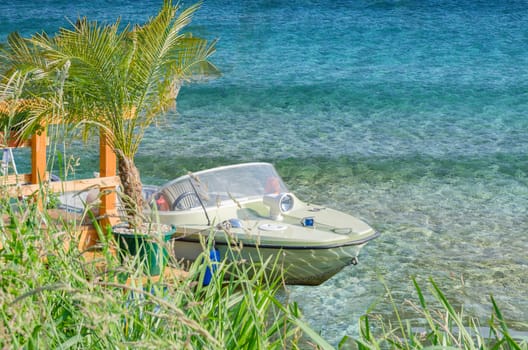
column 444, row 328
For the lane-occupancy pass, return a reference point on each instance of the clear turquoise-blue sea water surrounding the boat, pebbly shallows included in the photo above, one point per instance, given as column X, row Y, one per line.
column 409, row 114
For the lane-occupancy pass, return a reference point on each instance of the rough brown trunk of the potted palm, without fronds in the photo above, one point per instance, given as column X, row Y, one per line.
column 132, row 188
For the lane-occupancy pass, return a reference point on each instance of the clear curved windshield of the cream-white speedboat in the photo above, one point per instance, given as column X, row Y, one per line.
column 238, row 182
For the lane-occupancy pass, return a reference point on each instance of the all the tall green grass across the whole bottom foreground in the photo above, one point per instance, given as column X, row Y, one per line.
column 51, row 297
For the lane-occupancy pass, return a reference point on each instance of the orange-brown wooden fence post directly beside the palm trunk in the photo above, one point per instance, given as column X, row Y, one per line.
column 107, row 167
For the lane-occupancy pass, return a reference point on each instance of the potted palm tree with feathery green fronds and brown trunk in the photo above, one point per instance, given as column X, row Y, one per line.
column 119, row 80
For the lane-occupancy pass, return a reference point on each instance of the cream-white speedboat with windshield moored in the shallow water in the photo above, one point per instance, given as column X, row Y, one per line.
column 249, row 204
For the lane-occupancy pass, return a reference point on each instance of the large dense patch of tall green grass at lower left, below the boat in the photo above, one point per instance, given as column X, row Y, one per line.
column 53, row 297
